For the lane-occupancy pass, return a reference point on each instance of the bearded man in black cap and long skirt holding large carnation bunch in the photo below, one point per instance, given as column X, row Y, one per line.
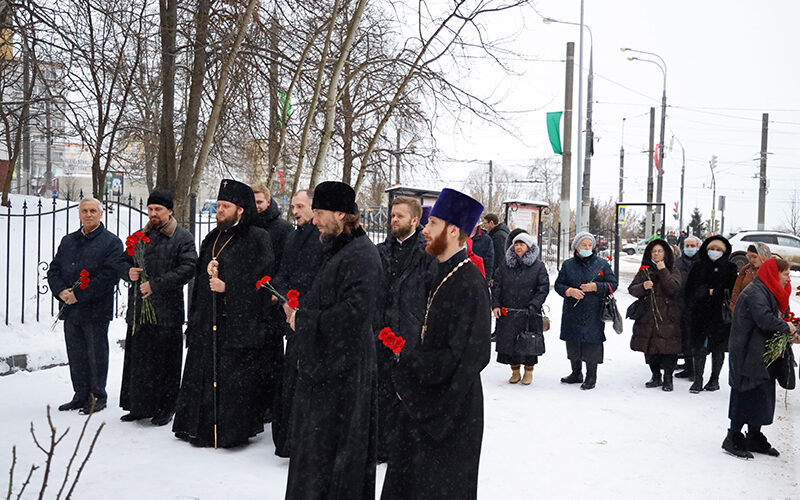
column 151, row 374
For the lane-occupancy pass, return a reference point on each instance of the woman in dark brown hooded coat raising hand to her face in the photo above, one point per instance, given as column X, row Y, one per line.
column 657, row 333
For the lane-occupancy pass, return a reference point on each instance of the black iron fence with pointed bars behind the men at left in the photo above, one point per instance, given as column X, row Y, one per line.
column 34, row 228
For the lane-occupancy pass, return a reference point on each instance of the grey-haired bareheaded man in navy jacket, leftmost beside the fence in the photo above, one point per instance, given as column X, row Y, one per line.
column 87, row 309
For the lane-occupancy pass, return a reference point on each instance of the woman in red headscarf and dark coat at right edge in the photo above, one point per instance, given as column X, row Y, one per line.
column 757, row 317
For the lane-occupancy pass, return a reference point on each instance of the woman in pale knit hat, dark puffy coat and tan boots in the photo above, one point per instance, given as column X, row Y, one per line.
column 520, row 287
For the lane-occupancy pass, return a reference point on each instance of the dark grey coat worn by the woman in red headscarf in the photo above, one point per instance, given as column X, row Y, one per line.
column 755, row 320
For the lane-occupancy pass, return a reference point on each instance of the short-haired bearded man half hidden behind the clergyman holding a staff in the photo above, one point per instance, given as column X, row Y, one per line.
column 269, row 218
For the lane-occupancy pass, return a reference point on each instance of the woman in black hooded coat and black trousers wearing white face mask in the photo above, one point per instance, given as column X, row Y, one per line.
column 708, row 290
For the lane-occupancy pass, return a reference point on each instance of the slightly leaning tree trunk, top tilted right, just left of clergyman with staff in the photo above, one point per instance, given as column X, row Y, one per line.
column 190, row 136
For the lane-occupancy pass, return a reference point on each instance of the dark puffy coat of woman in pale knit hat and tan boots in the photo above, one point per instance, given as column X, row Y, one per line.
column 519, row 284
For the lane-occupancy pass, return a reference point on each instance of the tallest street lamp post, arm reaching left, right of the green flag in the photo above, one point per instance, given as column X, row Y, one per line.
column 584, row 174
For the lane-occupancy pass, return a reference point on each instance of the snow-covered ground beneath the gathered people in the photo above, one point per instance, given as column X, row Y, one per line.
column 547, row 440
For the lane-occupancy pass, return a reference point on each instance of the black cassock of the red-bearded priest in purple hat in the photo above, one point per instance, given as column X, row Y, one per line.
column 440, row 417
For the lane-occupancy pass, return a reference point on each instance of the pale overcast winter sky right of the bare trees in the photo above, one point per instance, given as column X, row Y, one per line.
column 727, row 63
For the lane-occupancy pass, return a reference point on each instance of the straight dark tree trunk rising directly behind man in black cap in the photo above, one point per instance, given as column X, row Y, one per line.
column 168, row 13
